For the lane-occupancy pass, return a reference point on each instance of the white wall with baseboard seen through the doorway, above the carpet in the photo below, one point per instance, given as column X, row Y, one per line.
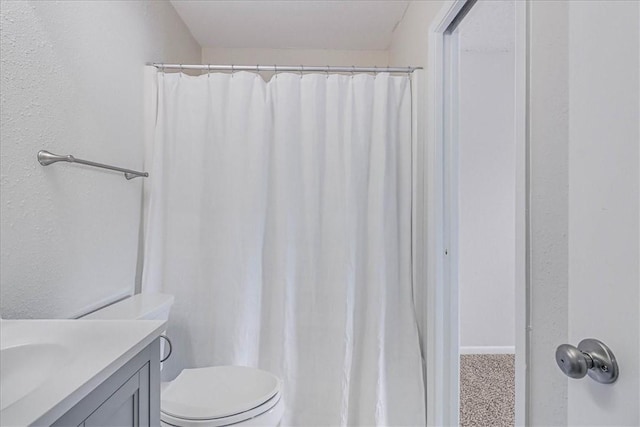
column 486, row 179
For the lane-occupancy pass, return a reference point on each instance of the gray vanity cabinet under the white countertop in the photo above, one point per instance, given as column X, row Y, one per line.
column 129, row 397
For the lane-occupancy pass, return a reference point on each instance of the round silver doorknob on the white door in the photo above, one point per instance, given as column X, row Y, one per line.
column 591, row 357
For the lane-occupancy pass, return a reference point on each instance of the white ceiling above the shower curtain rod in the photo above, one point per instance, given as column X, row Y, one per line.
column 302, row 24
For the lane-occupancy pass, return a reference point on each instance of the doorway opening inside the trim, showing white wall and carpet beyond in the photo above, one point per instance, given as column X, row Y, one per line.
column 483, row 169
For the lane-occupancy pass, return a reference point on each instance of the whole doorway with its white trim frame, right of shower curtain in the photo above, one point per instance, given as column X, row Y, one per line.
column 477, row 98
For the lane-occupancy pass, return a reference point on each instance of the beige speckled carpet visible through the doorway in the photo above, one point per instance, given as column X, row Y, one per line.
column 487, row 390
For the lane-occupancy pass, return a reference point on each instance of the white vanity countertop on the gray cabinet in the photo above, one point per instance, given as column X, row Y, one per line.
column 84, row 354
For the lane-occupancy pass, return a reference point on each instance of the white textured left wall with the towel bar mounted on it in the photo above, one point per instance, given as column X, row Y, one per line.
column 71, row 83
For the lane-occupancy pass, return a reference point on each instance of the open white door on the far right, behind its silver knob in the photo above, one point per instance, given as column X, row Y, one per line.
column 603, row 203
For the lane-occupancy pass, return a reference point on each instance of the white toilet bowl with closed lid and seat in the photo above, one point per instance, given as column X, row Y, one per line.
column 218, row 396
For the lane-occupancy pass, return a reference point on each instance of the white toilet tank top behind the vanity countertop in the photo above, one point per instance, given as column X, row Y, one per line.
column 136, row 307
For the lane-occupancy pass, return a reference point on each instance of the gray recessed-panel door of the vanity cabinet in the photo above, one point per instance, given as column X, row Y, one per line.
column 123, row 408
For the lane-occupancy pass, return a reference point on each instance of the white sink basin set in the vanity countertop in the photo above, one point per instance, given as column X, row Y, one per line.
column 25, row 367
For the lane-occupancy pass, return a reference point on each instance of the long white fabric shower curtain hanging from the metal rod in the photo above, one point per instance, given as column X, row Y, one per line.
column 280, row 218
